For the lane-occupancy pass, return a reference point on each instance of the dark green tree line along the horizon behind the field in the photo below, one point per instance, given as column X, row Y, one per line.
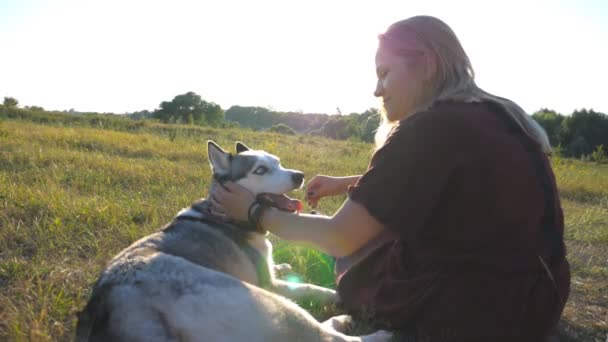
column 580, row 134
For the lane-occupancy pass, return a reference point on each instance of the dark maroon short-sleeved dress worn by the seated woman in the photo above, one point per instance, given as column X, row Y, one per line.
column 474, row 243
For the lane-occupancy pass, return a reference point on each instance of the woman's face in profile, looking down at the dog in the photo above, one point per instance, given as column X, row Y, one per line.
column 401, row 82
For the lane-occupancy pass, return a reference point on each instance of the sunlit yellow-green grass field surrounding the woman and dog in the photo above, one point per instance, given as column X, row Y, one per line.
column 73, row 195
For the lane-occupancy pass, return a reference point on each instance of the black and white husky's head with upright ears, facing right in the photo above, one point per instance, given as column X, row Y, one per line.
column 258, row 171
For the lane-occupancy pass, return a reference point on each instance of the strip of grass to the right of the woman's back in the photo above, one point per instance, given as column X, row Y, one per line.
column 584, row 192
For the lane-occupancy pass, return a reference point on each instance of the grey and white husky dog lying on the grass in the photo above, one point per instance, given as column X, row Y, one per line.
column 202, row 278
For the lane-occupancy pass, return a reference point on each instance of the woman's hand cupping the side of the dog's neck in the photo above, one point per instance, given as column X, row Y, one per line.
column 231, row 200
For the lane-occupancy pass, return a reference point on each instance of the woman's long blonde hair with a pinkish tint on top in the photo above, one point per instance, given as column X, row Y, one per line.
column 454, row 77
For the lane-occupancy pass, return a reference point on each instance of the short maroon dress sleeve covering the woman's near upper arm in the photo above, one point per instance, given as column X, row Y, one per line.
column 406, row 176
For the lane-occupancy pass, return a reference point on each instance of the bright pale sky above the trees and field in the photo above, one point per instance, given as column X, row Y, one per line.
column 312, row 56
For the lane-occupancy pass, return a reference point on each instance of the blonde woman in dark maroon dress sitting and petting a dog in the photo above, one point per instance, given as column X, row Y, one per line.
column 455, row 231
